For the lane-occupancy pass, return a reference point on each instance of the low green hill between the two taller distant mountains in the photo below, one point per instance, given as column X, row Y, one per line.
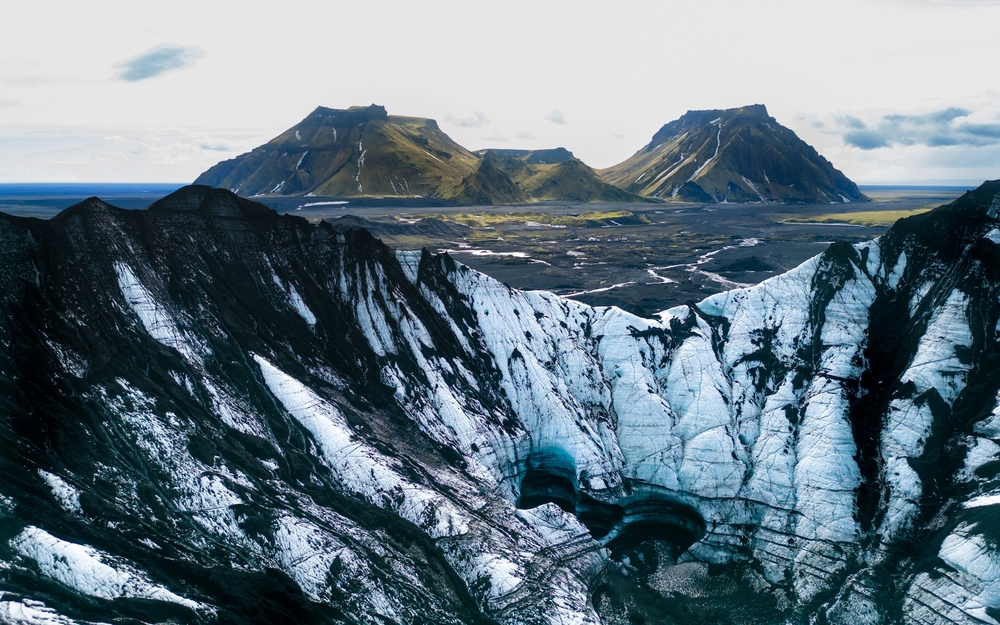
column 556, row 175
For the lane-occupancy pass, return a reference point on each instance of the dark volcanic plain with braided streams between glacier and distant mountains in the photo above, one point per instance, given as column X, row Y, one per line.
column 660, row 256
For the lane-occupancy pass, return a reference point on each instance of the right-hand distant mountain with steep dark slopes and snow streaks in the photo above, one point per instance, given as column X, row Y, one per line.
column 732, row 155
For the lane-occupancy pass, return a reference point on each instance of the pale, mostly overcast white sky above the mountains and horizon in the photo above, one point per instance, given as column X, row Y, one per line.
column 890, row 91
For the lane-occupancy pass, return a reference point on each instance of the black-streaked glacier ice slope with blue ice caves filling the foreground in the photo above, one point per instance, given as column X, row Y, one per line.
column 215, row 414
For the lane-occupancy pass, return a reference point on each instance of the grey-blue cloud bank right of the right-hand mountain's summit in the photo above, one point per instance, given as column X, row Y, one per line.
column 949, row 126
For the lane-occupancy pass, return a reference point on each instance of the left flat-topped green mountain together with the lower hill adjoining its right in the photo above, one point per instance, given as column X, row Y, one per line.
column 363, row 151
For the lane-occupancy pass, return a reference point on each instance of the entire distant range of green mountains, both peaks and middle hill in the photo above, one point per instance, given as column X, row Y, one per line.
column 363, row 151
